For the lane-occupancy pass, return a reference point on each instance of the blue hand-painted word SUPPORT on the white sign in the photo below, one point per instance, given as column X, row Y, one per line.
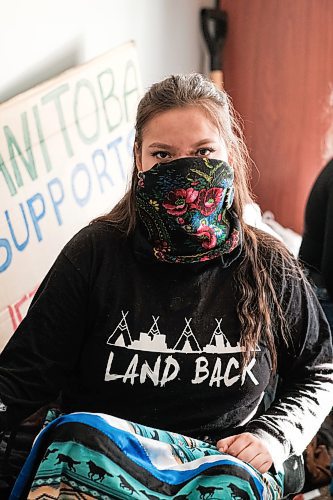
column 85, row 181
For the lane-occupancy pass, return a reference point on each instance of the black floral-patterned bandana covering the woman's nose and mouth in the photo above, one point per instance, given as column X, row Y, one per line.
column 184, row 207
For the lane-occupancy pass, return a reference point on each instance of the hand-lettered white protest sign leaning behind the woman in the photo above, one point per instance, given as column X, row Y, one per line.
column 65, row 152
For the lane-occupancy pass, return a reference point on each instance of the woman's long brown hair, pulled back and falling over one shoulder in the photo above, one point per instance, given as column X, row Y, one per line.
column 260, row 308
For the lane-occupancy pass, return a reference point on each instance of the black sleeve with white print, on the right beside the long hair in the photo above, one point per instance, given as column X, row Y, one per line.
column 305, row 369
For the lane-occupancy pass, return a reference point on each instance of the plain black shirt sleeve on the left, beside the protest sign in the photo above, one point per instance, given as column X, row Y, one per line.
column 45, row 347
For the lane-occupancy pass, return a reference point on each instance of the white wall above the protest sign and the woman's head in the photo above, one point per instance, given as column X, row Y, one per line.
column 41, row 38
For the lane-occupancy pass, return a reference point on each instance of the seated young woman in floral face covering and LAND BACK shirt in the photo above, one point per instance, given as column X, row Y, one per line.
column 171, row 313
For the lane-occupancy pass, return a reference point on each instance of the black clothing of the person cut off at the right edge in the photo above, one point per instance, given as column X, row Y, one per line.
column 316, row 249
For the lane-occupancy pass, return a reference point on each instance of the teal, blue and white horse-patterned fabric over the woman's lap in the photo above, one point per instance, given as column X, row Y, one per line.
column 96, row 456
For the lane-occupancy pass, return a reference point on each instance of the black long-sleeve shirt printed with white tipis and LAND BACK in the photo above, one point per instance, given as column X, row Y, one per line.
column 158, row 344
